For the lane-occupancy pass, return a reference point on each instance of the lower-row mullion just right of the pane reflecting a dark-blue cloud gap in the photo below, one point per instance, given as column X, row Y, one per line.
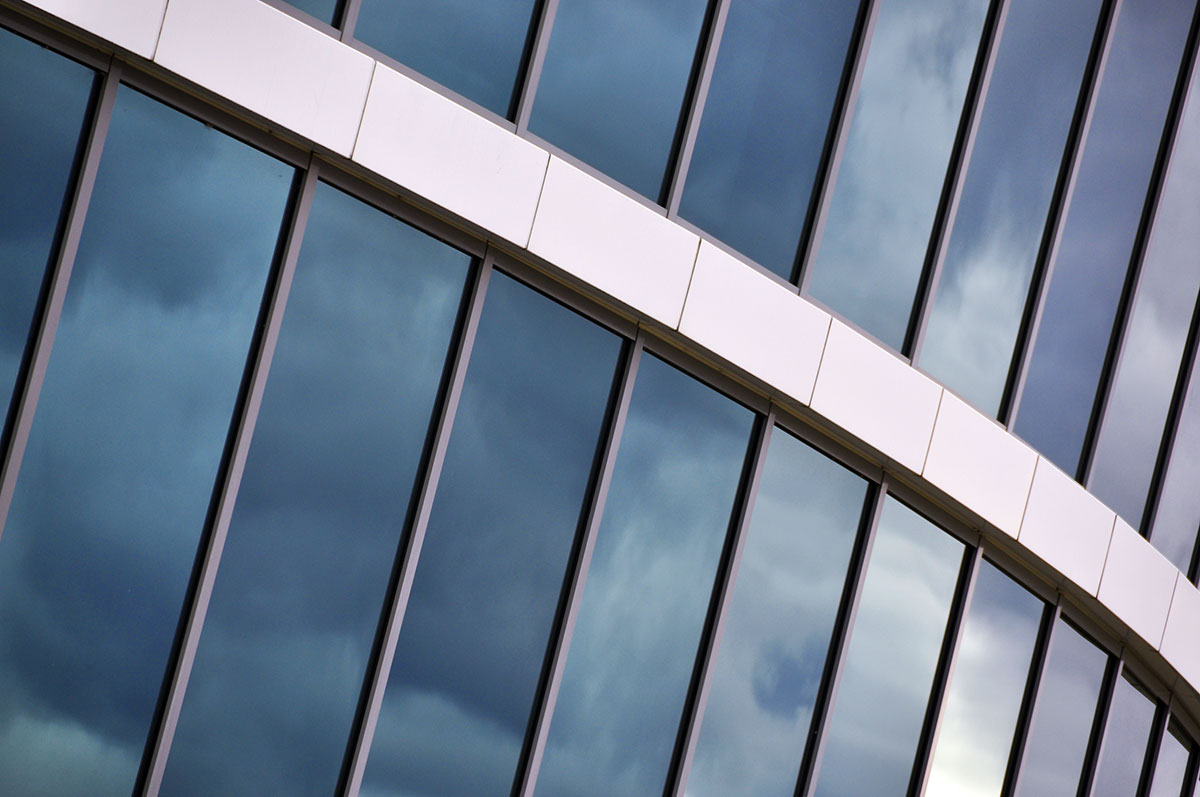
column 839, row 639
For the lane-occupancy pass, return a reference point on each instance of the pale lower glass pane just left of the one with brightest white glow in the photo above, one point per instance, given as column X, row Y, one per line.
column 895, row 648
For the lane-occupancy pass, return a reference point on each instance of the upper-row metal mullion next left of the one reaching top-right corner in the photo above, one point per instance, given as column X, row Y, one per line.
column 1057, row 217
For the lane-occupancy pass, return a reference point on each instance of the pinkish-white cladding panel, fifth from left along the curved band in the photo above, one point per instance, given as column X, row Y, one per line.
column 755, row 323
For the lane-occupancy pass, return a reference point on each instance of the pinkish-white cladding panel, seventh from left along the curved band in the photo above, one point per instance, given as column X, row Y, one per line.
column 975, row 460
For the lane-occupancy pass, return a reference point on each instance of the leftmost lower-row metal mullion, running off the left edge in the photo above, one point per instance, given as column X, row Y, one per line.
column 55, row 289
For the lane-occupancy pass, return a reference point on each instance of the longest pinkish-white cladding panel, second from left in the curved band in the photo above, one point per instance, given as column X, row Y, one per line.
column 273, row 64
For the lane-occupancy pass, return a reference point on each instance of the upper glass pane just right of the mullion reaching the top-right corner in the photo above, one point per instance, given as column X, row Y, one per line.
column 1162, row 313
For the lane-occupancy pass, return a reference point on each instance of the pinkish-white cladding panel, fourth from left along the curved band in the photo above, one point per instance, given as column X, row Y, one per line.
column 614, row 243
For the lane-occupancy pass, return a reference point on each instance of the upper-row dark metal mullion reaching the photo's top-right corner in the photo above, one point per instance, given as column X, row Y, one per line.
column 1142, row 241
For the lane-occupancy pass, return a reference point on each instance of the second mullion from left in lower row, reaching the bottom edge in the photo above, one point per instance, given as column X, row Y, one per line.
column 233, row 464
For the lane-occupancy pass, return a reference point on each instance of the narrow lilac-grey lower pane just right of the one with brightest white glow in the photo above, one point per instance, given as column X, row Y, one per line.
column 1063, row 721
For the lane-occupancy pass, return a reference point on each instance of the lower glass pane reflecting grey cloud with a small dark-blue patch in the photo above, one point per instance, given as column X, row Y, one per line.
column 777, row 632
